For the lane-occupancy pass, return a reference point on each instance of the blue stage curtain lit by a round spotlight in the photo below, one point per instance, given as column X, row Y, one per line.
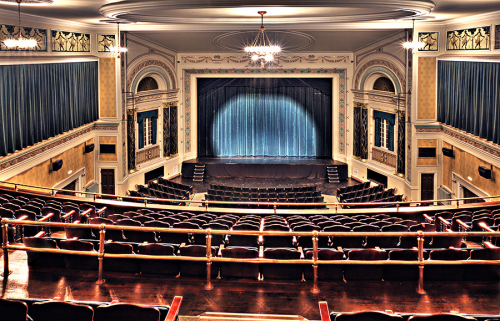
column 264, row 117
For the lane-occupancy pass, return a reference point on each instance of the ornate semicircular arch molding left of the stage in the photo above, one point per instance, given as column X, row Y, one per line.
column 151, row 67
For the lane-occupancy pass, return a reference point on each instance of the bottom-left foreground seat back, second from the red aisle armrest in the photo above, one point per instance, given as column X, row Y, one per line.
column 60, row 311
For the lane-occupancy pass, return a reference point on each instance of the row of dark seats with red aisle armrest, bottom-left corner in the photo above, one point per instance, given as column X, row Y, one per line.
column 56, row 310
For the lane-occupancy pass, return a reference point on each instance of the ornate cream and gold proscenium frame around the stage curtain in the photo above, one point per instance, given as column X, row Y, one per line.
column 341, row 90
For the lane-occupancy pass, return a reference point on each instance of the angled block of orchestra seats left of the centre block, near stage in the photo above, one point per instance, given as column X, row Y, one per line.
column 165, row 189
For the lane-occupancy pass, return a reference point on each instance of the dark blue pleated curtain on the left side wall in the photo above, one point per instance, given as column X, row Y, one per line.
column 44, row 100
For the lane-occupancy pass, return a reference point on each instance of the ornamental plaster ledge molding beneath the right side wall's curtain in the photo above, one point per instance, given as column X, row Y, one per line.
column 464, row 137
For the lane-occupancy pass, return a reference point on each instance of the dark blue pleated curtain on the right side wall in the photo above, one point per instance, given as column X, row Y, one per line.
column 469, row 98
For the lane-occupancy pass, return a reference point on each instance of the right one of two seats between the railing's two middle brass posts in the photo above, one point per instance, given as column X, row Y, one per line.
column 282, row 270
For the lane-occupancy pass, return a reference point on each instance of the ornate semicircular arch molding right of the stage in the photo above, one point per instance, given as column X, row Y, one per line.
column 381, row 66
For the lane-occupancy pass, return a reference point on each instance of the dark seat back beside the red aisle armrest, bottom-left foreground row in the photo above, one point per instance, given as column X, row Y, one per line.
column 126, row 312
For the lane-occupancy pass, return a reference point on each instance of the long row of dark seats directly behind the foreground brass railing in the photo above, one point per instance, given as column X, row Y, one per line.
column 269, row 270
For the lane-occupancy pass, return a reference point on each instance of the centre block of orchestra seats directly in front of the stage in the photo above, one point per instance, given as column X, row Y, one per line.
column 299, row 194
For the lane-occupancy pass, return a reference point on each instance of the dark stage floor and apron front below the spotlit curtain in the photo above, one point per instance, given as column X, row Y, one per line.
column 264, row 167
